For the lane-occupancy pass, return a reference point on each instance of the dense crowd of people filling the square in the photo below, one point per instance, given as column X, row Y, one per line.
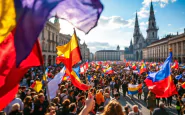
column 101, row 99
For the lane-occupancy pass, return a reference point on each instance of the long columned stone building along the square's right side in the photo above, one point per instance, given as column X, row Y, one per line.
column 159, row 50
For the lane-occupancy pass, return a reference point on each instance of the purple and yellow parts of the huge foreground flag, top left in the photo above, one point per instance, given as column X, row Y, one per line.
column 29, row 18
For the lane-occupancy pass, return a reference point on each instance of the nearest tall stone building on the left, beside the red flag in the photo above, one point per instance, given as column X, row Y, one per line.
column 49, row 39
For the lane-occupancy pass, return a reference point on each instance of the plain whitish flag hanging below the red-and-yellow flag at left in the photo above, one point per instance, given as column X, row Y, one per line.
column 53, row 84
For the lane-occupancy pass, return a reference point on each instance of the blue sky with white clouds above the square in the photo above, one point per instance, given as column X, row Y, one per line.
column 116, row 24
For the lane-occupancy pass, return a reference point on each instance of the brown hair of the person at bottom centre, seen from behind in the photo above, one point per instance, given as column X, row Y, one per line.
column 113, row 108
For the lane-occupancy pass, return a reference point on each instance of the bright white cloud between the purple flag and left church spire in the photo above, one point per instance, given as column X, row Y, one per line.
column 110, row 32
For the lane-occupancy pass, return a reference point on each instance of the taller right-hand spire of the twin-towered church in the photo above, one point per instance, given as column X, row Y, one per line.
column 152, row 28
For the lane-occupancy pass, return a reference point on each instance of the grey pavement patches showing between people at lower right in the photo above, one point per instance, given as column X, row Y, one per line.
column 142, row 105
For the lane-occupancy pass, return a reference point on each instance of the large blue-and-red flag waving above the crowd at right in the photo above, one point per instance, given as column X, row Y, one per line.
column 161, row 83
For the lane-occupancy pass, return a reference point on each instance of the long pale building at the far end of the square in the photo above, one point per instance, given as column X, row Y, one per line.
column 112, row 55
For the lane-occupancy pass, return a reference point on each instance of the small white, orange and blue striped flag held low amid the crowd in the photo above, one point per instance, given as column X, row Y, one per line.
column 133, row 89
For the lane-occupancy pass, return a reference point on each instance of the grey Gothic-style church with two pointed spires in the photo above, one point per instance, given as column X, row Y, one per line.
column 134, row 51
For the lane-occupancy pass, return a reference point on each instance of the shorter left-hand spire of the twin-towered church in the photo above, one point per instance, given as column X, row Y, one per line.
column 136, row 31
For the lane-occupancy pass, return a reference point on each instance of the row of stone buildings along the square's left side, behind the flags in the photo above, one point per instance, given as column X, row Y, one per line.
column 50, row 38
